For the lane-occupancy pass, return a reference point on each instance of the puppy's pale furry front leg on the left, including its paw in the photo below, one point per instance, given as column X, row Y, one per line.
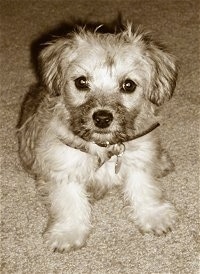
column 70, row 213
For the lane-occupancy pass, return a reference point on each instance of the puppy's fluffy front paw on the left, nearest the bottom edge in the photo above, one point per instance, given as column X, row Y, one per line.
column 61, row 238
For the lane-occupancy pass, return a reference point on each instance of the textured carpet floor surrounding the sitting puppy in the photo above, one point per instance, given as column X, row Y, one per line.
column 115, row 245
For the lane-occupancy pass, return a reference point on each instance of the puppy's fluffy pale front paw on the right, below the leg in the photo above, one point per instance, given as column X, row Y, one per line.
column 158, row 219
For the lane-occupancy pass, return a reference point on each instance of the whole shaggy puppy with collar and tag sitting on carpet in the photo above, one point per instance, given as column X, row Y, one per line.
column 94, row 128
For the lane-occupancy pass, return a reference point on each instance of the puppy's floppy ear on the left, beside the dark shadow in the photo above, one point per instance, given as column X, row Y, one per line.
column 50, row 61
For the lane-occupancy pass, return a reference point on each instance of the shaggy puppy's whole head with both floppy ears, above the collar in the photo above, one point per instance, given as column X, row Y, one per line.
column 107, row 80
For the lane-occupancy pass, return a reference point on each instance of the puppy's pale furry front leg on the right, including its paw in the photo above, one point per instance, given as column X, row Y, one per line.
column 151, row 211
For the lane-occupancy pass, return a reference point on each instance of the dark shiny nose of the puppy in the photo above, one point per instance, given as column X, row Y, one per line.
column 102, row 118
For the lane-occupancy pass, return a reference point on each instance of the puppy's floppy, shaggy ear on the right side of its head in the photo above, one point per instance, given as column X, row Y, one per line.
column 163, row 74
